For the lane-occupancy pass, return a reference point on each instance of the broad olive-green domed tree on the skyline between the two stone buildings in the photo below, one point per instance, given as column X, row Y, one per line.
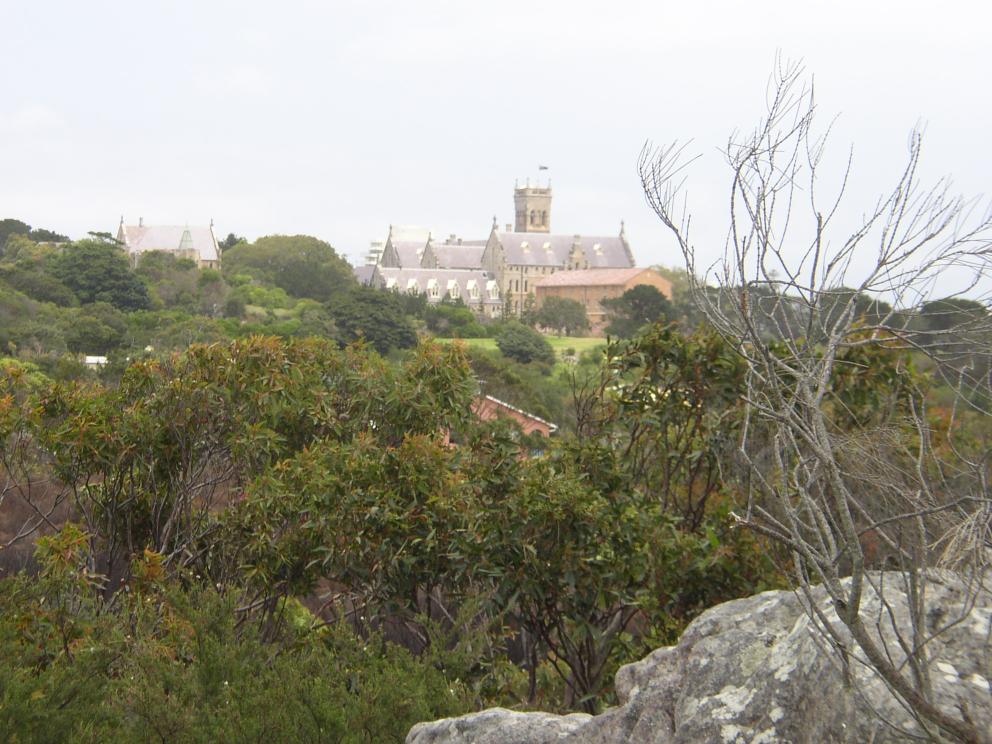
column 301, row 265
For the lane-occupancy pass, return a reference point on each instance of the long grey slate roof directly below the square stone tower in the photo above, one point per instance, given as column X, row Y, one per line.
column 547, row 249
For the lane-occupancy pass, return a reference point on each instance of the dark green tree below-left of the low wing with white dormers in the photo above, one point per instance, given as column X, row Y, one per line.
column 372, row 315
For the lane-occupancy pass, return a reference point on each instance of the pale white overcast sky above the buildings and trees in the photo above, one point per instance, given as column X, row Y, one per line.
column 338, row 118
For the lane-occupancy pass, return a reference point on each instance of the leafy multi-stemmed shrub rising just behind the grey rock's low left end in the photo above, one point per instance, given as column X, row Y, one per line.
column 566, row 556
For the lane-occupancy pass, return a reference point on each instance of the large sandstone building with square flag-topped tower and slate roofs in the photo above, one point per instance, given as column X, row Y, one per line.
column 497, row 275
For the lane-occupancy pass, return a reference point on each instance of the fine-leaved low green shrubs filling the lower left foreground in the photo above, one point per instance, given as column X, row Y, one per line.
column 175, row 663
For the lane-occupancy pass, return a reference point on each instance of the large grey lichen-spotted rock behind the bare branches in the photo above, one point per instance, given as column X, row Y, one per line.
column 755, row 670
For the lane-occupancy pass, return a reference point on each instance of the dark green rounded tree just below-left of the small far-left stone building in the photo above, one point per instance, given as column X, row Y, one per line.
column 99, row 272
